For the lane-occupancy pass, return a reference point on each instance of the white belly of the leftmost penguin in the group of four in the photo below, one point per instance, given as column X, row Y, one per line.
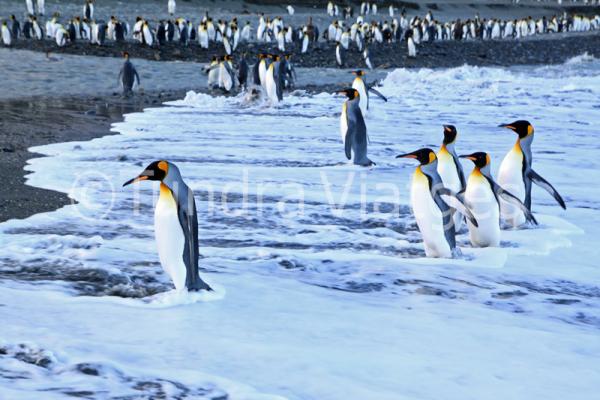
column 429, row 218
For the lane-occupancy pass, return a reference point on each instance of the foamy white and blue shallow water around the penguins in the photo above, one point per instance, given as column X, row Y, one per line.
column 336, row 285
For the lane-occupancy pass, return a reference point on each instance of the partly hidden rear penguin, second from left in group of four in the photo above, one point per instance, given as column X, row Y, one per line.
column 450, row 169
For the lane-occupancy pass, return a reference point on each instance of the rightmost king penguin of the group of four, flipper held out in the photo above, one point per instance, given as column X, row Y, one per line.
column 517, row 175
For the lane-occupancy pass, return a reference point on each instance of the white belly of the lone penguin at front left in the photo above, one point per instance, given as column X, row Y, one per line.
column 170, row 239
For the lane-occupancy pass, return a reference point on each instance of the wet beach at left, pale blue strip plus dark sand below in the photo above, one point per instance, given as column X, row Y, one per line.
column 48, row 101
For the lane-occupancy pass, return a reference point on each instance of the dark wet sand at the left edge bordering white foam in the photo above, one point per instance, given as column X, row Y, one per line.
column 55, row 120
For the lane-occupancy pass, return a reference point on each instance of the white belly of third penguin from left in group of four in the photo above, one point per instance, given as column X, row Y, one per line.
column 483, row 205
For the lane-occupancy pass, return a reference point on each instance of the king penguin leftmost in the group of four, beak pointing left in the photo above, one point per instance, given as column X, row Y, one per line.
column 431, row 203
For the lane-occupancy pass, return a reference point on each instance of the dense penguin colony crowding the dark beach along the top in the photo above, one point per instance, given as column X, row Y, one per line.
column 345, row 32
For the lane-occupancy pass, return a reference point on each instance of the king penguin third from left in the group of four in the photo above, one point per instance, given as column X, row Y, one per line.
column 483, row 195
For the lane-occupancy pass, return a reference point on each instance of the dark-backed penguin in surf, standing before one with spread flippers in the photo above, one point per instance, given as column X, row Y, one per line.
column 353, row 129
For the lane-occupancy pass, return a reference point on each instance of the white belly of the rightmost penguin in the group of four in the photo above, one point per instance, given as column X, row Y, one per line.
column 510, row 178
